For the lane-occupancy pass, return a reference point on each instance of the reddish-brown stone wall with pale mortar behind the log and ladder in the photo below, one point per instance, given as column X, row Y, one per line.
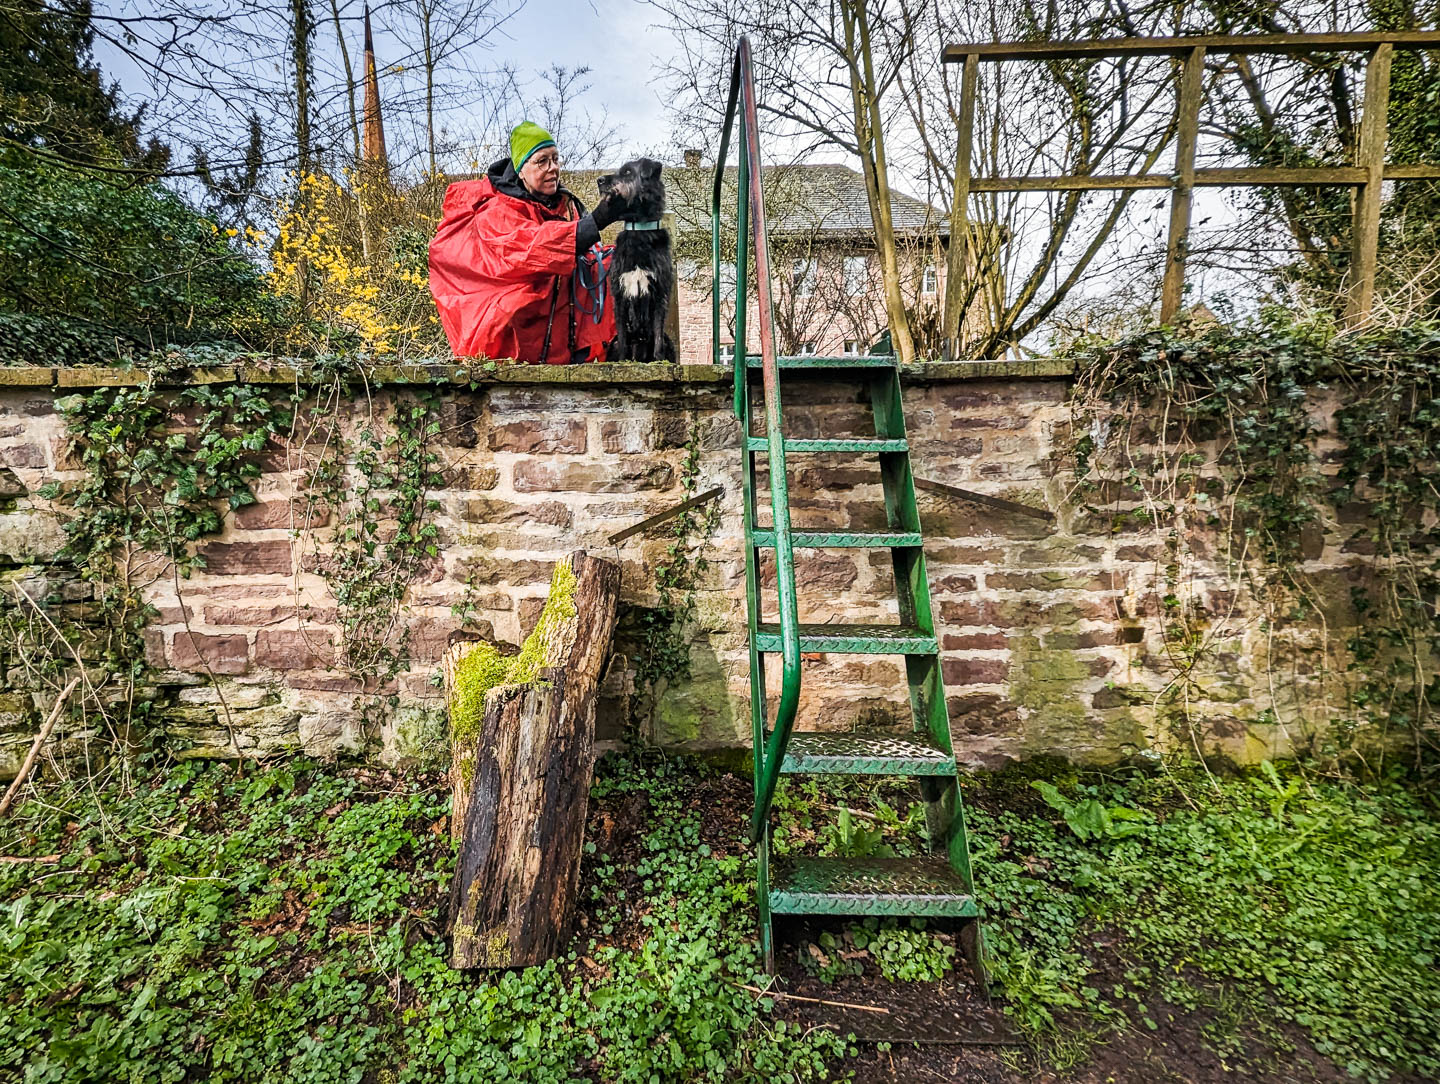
column 1055, row 637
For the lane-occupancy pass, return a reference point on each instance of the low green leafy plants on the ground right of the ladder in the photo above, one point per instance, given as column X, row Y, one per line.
column 1314, row 900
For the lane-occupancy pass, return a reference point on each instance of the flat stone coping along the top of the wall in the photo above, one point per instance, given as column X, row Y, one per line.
column 462, row 375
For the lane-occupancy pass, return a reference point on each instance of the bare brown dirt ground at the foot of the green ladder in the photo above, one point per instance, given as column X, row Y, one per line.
column 909, row 1033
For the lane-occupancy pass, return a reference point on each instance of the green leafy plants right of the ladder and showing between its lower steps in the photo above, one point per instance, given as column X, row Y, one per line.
column 1301, row 902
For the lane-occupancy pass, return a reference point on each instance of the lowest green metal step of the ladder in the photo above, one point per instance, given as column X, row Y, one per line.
column 919, row 887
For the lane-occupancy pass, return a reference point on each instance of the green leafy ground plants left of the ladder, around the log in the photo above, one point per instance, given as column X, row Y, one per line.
column 287, row 928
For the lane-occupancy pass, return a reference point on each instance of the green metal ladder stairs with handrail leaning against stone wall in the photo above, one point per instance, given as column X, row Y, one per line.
column 938, row 885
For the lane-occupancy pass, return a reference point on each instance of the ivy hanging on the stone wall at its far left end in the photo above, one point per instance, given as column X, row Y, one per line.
column 159, row 471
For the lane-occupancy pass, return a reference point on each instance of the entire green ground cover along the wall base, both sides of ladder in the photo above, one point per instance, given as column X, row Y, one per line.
column 286, row 923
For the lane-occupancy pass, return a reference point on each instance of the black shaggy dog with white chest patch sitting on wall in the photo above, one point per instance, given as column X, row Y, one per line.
column 642, row 270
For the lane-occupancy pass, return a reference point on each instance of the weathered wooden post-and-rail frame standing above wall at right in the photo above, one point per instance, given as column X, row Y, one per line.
column 1366, row 176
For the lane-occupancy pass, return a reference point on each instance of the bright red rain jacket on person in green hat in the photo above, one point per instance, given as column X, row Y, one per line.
column 499, row 261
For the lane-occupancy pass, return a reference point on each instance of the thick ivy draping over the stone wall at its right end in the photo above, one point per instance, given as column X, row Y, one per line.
column 1271, row 437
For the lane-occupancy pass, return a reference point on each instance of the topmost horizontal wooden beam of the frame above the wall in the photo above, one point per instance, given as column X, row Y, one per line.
column 1182, row 47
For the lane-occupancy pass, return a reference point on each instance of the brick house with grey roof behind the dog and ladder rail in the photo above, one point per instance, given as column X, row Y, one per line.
column 829, row 296
